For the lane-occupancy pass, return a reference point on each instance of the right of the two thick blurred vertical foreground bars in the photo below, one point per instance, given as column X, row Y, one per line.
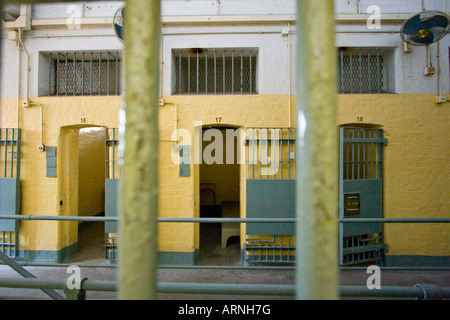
column 317, row 145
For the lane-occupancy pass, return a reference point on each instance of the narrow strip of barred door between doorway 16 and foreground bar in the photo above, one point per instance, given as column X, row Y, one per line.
column 111, row 189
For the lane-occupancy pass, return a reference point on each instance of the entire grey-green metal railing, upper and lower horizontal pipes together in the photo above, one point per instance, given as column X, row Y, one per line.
column 419, row 291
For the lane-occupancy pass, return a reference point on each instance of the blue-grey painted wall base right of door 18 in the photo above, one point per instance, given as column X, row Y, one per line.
column 417, row 261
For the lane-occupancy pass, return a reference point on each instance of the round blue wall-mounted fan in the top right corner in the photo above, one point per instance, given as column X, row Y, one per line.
column 425, row 28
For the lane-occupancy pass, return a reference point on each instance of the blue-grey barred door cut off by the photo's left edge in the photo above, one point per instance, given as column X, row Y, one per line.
column 10, row 140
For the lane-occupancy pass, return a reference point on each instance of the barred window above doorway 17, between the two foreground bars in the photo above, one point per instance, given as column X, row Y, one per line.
column 215, row 71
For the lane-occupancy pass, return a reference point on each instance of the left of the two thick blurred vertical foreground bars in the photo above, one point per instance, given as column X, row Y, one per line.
column 139, row 183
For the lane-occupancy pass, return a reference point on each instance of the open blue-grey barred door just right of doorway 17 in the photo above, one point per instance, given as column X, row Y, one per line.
column 270, row 193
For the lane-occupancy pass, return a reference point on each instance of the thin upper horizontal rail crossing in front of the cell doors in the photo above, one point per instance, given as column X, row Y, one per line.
column 227, row 220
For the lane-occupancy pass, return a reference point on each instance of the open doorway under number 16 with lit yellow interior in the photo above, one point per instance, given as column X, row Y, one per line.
column 81, row 176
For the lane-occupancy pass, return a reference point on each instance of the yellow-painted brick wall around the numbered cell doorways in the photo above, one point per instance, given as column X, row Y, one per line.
column 416, row 159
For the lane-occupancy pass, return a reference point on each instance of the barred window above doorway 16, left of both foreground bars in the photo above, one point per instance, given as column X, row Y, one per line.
column 80, row 73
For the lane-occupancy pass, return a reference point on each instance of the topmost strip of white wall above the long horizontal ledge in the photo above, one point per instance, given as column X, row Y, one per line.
column 235, row 7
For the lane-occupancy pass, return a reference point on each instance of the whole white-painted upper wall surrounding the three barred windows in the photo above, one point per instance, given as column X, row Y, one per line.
column 273, row 53
